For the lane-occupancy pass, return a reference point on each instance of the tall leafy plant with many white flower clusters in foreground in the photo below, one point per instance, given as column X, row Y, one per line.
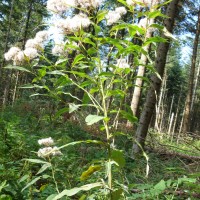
column 98, row 57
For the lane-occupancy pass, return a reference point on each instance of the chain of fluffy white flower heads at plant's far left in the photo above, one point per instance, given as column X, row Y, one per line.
column 31, row 49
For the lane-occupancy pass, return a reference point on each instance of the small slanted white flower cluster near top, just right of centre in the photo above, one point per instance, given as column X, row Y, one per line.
column 114, row 16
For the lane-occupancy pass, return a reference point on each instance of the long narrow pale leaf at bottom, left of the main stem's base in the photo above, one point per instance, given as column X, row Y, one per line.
column 74, row 191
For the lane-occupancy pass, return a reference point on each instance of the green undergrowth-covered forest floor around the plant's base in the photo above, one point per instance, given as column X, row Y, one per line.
column 173, row 168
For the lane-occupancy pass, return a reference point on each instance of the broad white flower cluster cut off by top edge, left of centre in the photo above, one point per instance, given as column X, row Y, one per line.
column 59, row 6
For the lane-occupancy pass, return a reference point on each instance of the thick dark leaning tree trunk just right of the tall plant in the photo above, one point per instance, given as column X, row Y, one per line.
column 154, row 89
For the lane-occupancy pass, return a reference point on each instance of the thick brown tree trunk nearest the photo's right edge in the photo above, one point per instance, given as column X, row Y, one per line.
column 187, row 115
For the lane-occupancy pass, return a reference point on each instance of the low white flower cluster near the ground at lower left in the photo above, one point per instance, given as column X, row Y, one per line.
column 48, row 150
